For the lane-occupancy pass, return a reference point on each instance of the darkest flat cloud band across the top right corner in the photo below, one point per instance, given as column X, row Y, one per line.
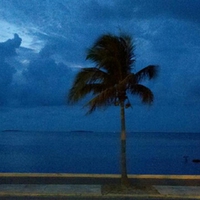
column 142, row 9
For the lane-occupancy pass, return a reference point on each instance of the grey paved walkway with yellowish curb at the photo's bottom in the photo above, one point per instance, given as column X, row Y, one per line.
column 39, row 190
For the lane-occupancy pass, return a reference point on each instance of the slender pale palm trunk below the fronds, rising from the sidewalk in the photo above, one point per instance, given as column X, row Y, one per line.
column 124, row 177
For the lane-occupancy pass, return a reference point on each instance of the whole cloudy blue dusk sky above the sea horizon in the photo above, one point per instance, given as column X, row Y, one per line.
column 43, row 45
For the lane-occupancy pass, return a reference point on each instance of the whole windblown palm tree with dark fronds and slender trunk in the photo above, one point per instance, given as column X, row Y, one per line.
column 111, row 80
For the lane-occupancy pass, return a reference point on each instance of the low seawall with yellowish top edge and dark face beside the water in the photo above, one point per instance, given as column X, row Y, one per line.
column 49, row 178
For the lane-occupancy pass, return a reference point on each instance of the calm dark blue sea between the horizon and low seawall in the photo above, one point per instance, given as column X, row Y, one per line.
column 91, row 152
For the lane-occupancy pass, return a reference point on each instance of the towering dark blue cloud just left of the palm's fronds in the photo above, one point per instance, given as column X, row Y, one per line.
column 46, row 82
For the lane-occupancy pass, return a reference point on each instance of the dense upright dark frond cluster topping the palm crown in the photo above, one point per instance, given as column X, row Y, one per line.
column 112, row 52
